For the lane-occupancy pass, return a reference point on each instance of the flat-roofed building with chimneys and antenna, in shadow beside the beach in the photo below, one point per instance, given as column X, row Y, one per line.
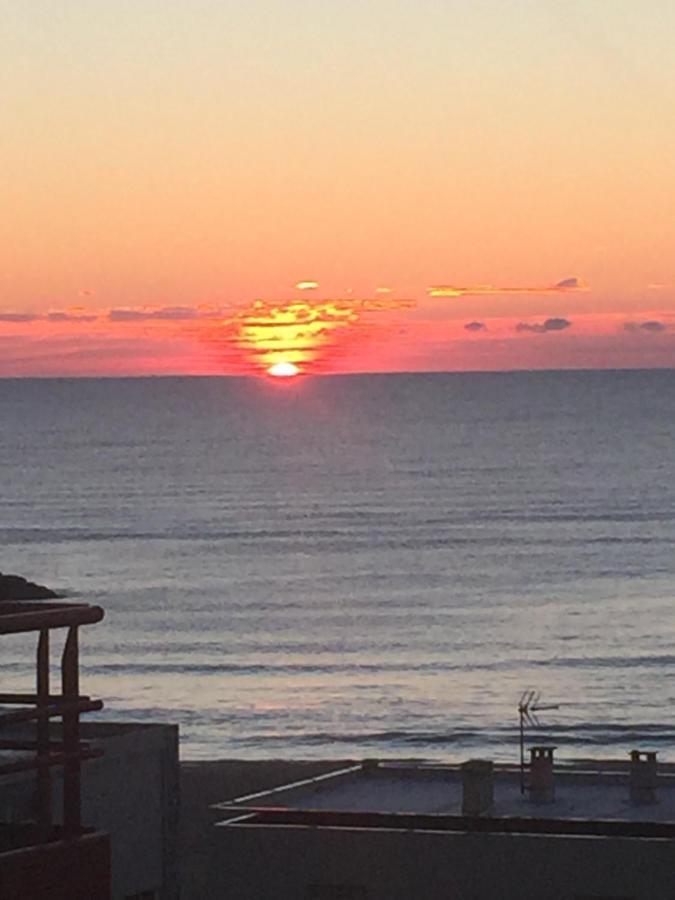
column 434, row 832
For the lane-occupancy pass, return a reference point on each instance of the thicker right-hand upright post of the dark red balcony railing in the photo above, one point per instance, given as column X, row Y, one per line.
column 72, row 822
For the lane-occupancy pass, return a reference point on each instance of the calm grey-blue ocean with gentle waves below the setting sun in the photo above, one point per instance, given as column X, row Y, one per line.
column 357, row 566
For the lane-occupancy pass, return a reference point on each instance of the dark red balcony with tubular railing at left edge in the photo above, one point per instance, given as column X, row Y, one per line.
column 42, row 858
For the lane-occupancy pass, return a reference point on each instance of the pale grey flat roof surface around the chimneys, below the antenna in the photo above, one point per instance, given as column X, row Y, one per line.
column 587, row 792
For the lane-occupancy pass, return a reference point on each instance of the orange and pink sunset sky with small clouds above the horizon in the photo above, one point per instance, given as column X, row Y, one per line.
column 221, row 187
